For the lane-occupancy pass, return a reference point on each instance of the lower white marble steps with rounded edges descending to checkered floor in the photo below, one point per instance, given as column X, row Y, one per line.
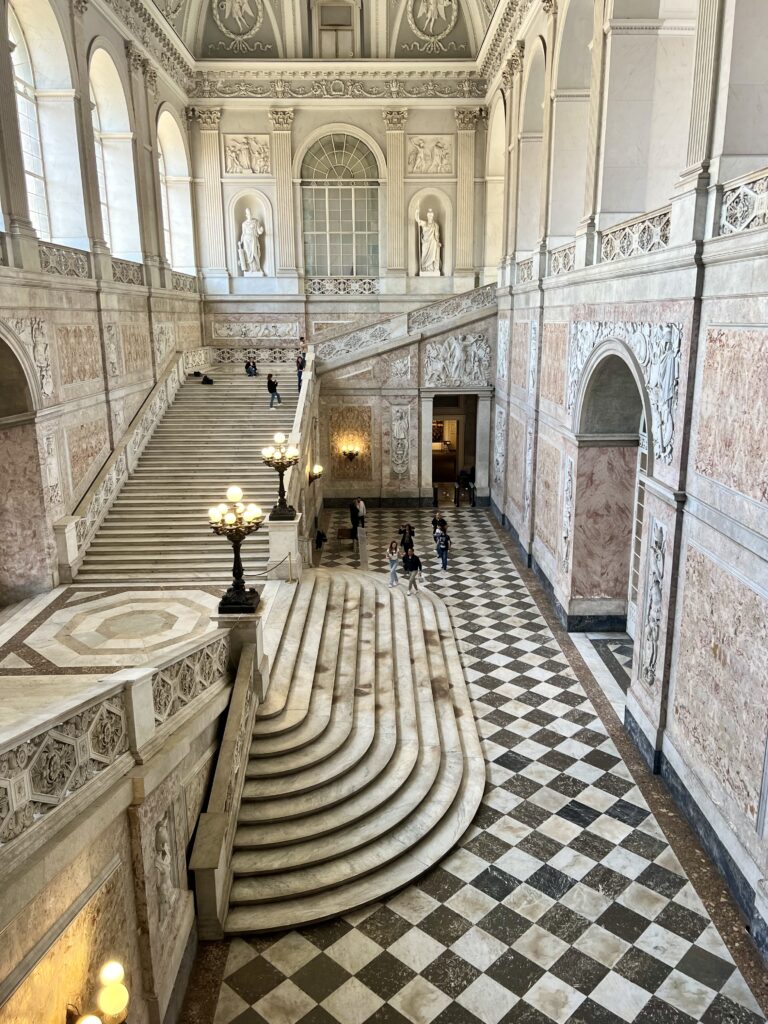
column 365, row 766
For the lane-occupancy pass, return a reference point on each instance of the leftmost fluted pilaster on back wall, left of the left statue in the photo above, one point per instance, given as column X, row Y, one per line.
column 209, row 202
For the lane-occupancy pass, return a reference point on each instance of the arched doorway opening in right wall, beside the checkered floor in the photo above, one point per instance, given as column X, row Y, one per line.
column 609, row 497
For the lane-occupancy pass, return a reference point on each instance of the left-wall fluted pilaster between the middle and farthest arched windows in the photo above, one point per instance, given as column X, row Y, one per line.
column 146, row 191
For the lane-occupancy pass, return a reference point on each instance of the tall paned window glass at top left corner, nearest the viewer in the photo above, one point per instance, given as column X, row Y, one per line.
column 24, row 81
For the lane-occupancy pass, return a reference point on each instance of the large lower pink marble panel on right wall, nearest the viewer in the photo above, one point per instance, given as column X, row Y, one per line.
column 721, row 677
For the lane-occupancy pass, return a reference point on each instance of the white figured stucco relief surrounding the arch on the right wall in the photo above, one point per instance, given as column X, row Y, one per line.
column 658, row 349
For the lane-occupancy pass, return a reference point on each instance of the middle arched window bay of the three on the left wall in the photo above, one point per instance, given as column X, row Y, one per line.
column 114, row 141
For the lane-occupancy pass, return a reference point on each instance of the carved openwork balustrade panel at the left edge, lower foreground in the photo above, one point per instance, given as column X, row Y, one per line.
column 41, row 774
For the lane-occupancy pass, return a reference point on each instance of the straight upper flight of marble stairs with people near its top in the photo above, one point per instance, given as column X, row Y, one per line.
column 157, row 530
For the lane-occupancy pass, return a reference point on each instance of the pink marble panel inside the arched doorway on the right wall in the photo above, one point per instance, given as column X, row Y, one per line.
column 603, row 523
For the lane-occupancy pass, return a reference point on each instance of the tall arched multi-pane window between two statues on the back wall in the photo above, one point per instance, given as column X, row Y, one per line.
column 340, row 199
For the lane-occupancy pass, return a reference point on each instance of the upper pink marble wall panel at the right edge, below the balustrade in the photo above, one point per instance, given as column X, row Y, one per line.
column 734, row 412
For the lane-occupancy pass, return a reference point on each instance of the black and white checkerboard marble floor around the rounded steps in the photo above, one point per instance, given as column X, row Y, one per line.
column 564, row 903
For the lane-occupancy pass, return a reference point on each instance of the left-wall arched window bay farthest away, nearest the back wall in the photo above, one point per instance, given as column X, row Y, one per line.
column 176, row 198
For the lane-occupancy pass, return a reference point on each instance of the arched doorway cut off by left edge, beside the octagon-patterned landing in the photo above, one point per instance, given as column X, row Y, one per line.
column 27, row 564
